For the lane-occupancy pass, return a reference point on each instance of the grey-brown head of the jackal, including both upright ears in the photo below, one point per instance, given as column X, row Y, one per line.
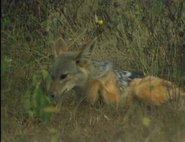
column 70, row 69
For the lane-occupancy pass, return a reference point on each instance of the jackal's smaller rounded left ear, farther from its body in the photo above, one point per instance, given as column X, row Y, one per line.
column 59, row 47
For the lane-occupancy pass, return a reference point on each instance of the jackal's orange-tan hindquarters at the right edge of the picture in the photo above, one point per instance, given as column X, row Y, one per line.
column 154, row 90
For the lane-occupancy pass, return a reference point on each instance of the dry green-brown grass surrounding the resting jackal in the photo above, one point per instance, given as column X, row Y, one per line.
column 145, row 36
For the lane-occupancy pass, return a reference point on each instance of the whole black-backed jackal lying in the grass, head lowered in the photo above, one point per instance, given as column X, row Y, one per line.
column 90, row 78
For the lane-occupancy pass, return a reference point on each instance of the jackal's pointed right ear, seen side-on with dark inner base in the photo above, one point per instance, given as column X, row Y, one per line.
column 84, row 56
